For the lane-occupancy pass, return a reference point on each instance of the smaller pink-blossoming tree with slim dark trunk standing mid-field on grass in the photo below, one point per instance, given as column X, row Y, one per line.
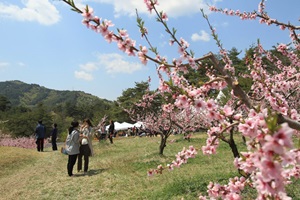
column 166, row 119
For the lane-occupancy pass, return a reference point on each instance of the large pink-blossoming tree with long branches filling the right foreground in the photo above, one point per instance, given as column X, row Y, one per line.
column 266, row 115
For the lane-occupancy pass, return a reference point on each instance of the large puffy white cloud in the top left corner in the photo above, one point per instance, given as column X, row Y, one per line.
column 41, row 11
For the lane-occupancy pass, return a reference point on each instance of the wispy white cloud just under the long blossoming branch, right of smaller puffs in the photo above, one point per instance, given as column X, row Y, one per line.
column 115, row 63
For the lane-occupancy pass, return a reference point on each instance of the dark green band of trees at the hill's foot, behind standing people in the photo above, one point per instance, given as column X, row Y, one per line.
column 21, row 121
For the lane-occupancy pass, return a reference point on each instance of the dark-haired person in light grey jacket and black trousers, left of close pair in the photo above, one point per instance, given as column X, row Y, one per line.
column 72, row 146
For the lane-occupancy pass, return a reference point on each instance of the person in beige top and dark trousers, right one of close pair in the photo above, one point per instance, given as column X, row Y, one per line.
column 86, row 148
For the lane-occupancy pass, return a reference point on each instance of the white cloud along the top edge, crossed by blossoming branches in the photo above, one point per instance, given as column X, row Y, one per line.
column 173, row 8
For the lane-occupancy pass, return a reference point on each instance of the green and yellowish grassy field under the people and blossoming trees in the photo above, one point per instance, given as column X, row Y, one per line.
column 117, row 171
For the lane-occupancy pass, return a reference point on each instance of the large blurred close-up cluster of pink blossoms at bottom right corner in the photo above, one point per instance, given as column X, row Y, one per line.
column 270, row 162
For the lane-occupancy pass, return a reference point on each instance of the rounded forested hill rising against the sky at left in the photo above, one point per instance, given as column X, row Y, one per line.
column 23, row 94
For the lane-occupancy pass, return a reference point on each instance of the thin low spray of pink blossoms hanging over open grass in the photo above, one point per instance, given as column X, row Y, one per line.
column 181, row 158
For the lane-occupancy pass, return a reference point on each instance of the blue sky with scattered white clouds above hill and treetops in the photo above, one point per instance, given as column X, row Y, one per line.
column 43, row 42
